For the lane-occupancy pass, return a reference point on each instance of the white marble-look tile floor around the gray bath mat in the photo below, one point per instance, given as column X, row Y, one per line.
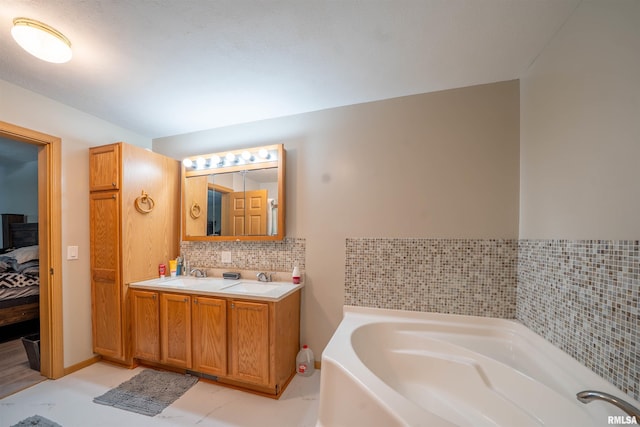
column 69, row 402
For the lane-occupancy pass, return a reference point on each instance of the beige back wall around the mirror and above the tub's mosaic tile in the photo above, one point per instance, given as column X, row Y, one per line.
column 443, row 164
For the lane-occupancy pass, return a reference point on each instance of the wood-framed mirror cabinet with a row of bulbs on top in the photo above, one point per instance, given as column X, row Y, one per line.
column 236, row 195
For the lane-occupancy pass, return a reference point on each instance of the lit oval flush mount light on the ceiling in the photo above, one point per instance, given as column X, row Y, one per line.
column 41, row 40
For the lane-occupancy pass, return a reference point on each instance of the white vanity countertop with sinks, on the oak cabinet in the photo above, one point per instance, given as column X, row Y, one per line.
column 217, row 286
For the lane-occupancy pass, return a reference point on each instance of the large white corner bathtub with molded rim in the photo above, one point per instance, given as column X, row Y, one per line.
column 399, row 368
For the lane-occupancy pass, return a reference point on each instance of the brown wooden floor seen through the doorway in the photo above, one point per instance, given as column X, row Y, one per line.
column 15, row 374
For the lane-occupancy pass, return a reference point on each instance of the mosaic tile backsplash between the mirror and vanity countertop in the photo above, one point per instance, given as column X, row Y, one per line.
column 258, row 255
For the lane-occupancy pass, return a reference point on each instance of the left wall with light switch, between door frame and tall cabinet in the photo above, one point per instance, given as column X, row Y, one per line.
column 78, row 132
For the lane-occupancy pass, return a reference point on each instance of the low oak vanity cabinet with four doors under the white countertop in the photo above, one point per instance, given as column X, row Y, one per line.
column 245, row 343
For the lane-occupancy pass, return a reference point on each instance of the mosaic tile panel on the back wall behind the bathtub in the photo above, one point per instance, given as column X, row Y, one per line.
column 459, row 276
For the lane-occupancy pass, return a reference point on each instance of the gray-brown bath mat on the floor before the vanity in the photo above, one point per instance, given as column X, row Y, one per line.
column 149, row 392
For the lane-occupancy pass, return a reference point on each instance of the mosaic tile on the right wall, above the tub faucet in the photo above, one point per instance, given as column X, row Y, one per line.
column 582, row 296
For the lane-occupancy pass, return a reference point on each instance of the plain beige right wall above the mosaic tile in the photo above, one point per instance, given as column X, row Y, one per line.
column 580, row 128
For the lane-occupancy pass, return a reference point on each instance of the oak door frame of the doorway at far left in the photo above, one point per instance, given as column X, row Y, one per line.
column 50, row 241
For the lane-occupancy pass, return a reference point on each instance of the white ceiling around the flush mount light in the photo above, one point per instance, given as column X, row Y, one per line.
column 166, row 67
